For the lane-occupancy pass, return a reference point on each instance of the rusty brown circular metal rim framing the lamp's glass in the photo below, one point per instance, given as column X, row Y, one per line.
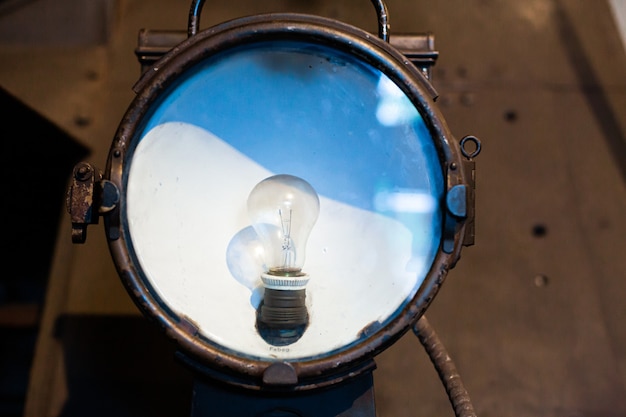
column 228, row 365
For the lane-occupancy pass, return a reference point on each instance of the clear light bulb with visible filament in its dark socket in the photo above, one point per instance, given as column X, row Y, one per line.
column 283, row 210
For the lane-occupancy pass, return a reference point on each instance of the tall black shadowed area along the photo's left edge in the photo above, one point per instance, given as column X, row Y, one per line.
column 38, row 158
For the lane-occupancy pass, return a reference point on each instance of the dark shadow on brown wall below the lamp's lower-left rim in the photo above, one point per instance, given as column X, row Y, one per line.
column 121, row 366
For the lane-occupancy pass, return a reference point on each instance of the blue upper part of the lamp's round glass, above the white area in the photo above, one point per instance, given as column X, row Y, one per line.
column 317, row 113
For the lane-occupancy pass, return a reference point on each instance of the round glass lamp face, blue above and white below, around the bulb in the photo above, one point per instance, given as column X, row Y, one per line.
column 304, row 110
